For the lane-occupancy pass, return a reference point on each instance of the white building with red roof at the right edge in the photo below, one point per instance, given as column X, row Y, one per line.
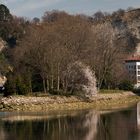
column 133, row 68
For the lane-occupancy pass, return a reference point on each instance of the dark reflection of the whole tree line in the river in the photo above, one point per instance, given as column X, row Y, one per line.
column 85, row 125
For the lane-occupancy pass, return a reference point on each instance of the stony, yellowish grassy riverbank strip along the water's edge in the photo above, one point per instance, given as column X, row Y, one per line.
column 55, row 102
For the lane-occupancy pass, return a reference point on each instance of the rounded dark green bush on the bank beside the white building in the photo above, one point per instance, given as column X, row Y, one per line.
column 126, row 85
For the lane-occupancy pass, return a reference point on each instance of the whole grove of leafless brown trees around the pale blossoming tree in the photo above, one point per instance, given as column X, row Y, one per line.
column 45, row 52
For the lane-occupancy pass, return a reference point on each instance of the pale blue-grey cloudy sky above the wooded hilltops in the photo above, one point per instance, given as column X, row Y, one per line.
column 36, row 8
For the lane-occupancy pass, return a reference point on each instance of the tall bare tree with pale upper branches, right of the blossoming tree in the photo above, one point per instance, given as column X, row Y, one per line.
column 105, row 54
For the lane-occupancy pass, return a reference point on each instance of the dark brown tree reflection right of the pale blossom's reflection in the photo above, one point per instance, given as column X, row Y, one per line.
column 118, row 125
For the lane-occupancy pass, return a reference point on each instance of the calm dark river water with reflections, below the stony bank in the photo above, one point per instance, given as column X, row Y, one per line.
column 72, row 125
